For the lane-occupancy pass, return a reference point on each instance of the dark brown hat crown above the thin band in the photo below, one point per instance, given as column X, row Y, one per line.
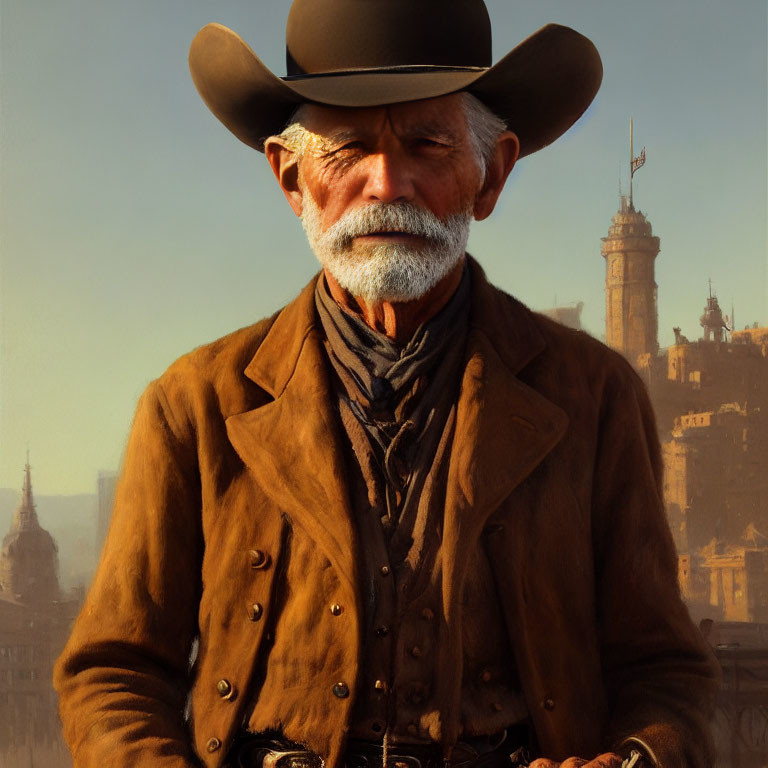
column 340, row 35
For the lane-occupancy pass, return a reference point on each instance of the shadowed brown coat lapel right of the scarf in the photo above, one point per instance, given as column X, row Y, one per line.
column 504, row 428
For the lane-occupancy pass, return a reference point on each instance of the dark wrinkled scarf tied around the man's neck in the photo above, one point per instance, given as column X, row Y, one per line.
column 400, row 394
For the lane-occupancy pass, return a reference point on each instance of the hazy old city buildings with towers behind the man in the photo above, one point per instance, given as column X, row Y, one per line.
column 710, row 394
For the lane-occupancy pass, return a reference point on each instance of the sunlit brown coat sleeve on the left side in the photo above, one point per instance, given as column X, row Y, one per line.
column 123, row 676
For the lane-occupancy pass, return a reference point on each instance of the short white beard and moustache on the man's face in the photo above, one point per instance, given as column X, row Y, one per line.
column 387, row 272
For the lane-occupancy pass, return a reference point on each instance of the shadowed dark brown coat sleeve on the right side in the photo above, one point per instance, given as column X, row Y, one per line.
column 659, row 672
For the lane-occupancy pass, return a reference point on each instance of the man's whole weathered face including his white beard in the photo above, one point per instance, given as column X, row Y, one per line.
column 386, row 194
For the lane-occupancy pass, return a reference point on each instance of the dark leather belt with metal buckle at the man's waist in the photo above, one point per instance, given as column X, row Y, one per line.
column 505, row 750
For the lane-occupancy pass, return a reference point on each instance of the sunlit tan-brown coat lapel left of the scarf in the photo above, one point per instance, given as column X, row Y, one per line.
column 292, row 446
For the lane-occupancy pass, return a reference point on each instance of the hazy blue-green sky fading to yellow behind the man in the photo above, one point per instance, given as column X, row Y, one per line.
column 134, row 227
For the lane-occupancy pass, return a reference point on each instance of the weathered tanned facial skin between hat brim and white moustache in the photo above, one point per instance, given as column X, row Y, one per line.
column 418, row 152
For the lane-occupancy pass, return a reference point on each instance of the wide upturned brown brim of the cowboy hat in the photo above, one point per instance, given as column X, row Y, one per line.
column 540, row 88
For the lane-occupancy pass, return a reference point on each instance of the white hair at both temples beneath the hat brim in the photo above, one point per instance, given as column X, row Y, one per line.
column 484, row 126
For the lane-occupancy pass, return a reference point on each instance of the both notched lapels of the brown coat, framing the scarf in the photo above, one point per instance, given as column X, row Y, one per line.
column 293, row 445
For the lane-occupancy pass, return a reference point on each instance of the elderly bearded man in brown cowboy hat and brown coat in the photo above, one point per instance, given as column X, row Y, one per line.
column 403, row 522
